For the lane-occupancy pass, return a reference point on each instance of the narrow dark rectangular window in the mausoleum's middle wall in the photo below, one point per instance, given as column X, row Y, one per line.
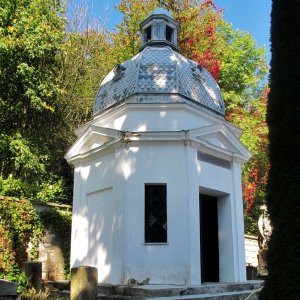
column 155, row 213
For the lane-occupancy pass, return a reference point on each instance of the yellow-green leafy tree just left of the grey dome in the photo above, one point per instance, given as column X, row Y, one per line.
column 84, row 63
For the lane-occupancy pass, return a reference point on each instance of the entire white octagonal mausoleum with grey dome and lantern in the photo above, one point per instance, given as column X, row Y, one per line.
column 157, row 181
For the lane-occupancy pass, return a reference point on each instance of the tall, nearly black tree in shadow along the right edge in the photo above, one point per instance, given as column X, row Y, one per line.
column 283, row 257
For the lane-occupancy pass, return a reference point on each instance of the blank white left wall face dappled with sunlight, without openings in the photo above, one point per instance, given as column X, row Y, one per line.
column 98, row 216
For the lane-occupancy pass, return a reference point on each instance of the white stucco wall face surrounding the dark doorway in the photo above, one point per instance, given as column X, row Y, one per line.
column 225, row 185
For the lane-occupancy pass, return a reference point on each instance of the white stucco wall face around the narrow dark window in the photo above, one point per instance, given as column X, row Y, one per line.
column 165, row 263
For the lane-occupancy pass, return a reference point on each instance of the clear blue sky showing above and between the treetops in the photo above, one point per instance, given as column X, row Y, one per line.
column 251, row 16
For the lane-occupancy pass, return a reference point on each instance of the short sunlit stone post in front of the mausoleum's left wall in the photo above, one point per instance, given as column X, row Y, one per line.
column 84, row 283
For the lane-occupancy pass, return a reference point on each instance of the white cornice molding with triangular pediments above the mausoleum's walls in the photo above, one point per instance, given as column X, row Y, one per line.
column 237, row 152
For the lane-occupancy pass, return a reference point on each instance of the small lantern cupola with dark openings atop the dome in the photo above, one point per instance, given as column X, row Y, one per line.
column 159, row 28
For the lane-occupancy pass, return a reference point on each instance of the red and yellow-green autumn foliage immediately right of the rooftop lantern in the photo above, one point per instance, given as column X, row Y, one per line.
column 199, row 35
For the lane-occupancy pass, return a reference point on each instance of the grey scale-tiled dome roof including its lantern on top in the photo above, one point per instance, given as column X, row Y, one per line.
column 159, row 70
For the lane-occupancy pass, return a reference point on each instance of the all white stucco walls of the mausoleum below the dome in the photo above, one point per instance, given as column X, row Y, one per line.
column 108, row 206
